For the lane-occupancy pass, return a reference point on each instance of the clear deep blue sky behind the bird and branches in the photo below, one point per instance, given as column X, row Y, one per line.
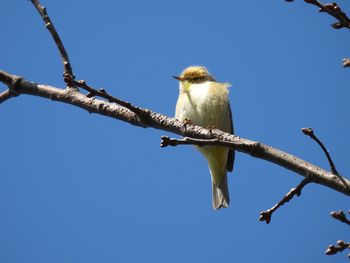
column 79, row 187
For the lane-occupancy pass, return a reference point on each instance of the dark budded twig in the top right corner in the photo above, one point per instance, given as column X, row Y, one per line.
column 333, row 10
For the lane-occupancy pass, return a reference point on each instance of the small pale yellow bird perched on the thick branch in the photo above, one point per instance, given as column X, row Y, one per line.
column 203, row 101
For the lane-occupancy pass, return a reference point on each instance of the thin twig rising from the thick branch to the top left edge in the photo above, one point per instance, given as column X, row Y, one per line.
column 68, row 71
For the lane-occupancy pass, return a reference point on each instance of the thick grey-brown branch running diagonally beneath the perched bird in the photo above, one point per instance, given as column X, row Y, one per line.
column 158, row 121
